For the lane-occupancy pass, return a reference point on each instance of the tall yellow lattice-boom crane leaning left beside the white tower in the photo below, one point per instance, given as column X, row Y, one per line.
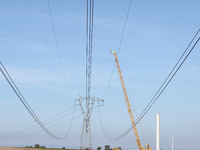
column 128, row 106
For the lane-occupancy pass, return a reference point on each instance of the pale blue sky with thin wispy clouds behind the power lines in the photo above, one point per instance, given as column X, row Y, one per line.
column 156, row 34
